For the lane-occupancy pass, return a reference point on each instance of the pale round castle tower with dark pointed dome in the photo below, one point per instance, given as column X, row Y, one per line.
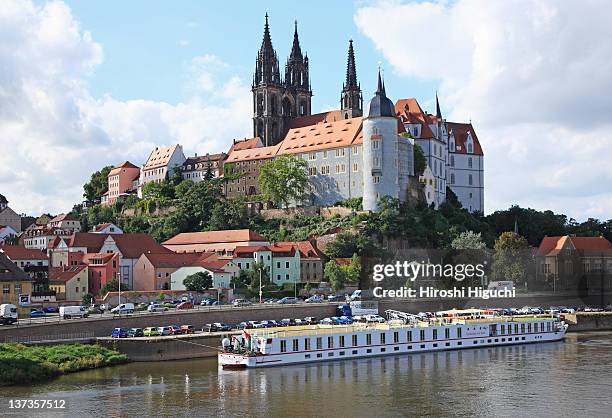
column 380, row 150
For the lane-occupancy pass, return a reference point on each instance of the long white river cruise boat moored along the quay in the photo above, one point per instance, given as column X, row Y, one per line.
column 403, row 334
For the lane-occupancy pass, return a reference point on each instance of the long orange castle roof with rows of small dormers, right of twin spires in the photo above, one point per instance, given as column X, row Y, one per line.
column 341, row 133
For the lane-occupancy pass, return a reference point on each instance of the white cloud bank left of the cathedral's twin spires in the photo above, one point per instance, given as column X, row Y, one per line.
column 54, row 133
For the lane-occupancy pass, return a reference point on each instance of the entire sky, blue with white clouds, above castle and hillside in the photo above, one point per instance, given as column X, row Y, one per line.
column 89, row 84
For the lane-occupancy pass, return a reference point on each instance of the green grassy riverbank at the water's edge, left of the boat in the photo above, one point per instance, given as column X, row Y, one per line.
column 21, row 364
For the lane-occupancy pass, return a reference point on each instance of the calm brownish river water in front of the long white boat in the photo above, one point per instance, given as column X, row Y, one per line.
column 570, row 378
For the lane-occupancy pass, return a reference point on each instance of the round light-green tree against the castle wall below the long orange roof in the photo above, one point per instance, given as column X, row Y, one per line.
column 283, row 180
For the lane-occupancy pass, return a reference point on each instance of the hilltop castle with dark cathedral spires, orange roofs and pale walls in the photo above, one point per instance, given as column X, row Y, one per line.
column 350, row 153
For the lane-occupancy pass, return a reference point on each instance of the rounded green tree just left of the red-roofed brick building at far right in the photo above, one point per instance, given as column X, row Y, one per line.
column 511, row 258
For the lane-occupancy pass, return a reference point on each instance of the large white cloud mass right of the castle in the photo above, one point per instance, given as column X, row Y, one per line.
column 533, row 76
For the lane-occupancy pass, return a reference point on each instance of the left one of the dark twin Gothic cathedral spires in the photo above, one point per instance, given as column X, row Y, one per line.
column 267, row 93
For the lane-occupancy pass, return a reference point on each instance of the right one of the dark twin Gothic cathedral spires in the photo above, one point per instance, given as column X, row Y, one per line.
column 297, row 97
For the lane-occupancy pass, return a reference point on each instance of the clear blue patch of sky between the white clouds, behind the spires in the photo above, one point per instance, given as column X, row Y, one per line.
column 148, row 44
